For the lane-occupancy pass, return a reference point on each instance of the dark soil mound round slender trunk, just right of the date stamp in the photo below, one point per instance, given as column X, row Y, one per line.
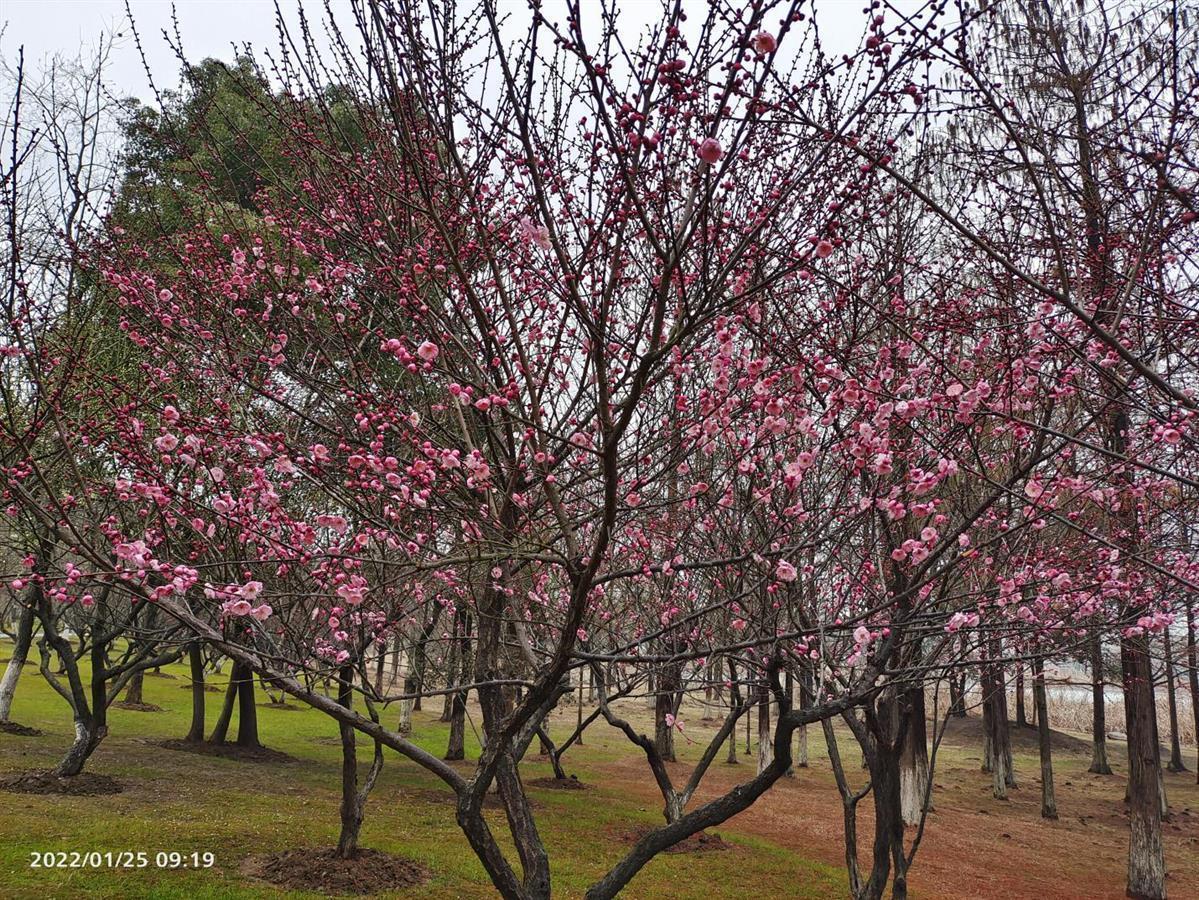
column 322, row 872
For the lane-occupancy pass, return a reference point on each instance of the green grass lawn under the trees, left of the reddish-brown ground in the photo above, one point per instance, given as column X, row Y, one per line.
column 186, row 802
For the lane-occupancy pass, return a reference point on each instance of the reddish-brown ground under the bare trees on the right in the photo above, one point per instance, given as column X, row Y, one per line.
column 1083, row 856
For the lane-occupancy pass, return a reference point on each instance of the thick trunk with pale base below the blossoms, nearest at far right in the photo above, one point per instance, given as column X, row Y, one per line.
column 1147, row 862
